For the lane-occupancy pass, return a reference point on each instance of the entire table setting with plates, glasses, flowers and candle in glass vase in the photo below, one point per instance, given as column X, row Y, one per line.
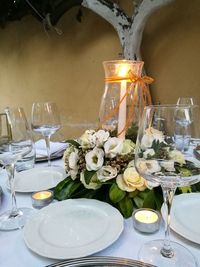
column 108, row 197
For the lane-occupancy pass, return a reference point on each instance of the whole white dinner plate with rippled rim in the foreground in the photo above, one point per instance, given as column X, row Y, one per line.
column 73, row 228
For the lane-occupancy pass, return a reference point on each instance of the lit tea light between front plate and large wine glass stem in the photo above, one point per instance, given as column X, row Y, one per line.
column 146, row 220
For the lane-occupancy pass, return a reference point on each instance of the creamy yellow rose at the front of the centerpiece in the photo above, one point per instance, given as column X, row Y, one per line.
column 131, row 180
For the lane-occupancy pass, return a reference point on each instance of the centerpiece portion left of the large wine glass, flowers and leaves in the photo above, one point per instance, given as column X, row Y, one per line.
column 102, row 167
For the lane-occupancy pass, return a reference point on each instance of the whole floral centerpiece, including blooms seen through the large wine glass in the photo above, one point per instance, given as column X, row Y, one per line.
column 102, row 167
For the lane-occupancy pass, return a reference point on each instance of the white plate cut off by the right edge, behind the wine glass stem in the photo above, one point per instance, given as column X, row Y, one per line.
column 185, row 216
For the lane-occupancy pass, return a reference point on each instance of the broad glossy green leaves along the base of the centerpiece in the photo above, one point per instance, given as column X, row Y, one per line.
column 109, row 192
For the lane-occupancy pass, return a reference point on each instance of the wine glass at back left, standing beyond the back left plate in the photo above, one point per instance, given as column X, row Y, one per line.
column 46, row 121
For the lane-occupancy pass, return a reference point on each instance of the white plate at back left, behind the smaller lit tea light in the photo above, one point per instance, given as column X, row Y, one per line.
column 38, row 179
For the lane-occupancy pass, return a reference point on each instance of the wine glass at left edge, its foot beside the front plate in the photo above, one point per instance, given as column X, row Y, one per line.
column 17, row 145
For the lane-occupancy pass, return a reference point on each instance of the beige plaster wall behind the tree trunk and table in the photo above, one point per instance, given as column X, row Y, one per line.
column 68, row 69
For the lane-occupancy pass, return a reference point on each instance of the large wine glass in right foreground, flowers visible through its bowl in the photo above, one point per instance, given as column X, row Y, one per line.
column 158, row 160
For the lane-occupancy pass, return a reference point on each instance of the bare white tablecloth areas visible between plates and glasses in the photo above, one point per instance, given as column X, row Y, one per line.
column 14, row 252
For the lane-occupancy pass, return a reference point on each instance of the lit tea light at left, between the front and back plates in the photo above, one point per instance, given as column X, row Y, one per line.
column 41, row 199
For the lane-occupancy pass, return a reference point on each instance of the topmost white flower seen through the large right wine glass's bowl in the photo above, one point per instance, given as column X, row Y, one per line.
column 150, row 135
